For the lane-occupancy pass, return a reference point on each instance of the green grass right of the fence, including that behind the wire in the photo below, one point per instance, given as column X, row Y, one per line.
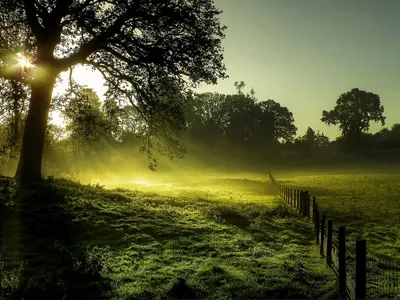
column 368, row 205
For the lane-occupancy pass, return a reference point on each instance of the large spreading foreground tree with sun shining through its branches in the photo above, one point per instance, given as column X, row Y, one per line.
column 137, row 45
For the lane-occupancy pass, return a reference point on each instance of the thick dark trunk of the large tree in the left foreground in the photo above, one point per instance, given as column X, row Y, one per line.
column 30, row 160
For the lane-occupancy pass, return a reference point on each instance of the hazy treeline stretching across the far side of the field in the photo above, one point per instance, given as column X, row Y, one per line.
column 235, row 126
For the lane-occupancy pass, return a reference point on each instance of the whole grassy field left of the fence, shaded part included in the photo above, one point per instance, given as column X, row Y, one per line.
column 214, row 238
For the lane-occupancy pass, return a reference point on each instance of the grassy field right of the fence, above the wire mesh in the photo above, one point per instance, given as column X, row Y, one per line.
column 368, row 204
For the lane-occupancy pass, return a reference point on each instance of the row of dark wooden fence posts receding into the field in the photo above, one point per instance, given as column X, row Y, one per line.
column 332, row 243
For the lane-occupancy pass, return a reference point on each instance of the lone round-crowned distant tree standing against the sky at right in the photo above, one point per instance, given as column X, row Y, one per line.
column 353, row 113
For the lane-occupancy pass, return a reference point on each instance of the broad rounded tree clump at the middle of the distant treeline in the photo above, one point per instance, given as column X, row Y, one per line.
column 239, row 119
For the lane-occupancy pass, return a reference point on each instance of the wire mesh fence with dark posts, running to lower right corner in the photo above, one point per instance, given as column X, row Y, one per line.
column 366, row 275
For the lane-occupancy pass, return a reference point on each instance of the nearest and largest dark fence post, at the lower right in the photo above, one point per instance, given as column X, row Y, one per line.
column 361, row 269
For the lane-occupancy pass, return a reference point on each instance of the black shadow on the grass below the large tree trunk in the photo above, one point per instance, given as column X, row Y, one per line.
column 52, row 265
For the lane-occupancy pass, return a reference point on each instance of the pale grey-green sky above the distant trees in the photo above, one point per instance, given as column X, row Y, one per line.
column 305, row 53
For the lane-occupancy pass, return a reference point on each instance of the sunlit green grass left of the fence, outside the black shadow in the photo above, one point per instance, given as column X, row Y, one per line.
column 223, row 238
